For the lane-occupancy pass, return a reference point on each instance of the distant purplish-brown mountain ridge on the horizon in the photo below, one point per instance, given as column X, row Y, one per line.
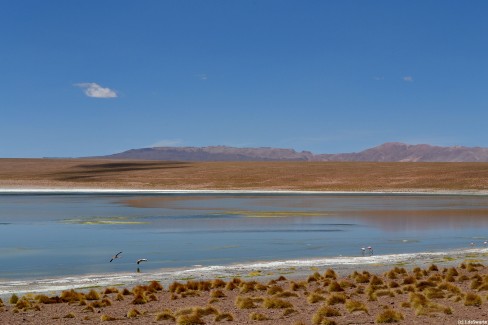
column 387, row 152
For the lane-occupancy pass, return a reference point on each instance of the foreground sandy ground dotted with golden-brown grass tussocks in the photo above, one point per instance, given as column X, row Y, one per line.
column 431, row 295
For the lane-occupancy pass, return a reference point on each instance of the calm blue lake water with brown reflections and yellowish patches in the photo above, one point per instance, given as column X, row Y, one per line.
column 50, row 235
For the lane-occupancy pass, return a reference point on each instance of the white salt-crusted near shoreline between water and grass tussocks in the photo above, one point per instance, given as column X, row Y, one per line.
column 256, row 270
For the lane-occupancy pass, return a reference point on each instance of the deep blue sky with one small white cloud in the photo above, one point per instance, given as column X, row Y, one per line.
column 81, row 78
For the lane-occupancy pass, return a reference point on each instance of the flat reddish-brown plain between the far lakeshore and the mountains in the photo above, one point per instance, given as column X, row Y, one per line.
column 297, row 176
